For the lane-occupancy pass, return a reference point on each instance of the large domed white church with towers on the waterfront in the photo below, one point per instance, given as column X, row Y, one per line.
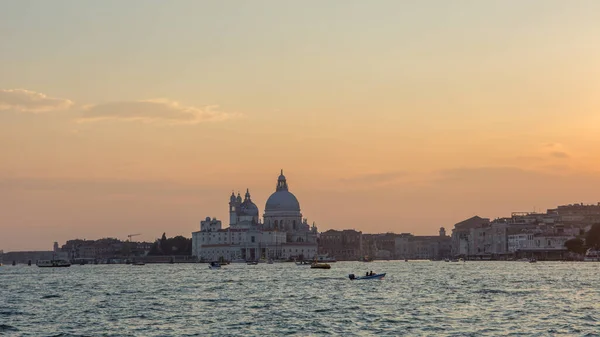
column 284, row 233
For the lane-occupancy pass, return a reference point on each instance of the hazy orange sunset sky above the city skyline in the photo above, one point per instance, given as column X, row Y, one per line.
column 122, row 117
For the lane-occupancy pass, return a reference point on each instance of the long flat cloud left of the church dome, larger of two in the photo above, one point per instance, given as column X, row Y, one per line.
column 152, row 111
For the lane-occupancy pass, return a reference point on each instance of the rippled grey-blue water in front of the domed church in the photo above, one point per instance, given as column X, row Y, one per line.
column 415, row 298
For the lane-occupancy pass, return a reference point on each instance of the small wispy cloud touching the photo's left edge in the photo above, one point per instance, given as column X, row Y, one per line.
column 31, row 101
